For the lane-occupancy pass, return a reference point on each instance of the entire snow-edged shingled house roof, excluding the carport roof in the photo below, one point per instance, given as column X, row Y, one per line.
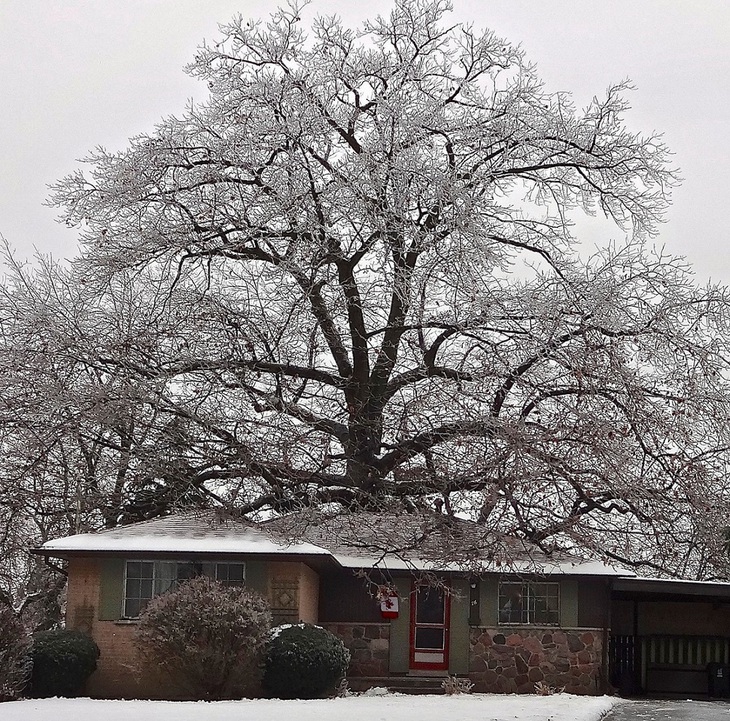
column 406, row 542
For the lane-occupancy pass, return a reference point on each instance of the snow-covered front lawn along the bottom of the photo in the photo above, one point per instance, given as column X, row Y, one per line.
column 476, row 707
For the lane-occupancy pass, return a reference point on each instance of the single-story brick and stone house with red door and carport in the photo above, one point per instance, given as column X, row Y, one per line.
column 409, row 614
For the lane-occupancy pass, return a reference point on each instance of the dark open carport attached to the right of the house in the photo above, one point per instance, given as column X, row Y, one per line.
column 670, row 637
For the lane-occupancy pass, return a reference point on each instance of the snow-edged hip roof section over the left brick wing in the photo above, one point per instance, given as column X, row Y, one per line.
column 202, row 532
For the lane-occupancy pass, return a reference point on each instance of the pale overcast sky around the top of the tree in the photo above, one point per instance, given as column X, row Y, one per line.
column 81, row 73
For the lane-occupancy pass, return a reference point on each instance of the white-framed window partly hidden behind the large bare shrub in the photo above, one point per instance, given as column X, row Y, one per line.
column 145, row 579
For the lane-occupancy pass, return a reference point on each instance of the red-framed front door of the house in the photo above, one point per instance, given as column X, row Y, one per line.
column 429, row 628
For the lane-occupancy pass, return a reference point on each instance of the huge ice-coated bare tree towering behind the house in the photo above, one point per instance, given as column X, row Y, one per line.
column 367, row 291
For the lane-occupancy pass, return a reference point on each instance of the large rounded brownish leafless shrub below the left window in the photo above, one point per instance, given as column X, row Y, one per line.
column 205, row 638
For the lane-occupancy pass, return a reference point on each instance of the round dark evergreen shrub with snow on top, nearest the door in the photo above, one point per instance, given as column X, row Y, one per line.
column 304, row 661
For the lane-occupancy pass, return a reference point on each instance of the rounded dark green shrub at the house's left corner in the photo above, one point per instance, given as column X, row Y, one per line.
column 62, row 661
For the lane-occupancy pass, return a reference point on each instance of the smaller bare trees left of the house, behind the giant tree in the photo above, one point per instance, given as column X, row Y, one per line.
column 85, row 441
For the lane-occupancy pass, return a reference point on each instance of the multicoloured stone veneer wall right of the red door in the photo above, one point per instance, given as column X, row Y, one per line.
column 514, row 660
